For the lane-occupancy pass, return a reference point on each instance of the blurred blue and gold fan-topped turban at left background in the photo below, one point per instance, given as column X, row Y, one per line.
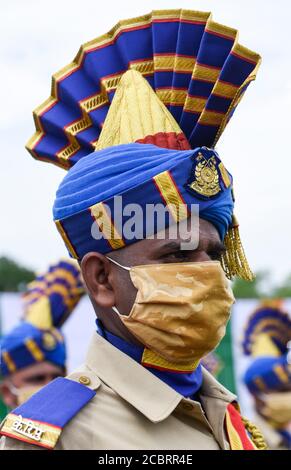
column 49, row 300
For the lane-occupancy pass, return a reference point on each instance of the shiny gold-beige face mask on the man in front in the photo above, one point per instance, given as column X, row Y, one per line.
column 181, row 309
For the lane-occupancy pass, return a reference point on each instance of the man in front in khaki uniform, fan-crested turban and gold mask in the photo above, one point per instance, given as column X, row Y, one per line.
column 161, row 297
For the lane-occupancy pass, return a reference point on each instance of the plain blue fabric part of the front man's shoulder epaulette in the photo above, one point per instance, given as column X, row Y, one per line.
column 57, row 403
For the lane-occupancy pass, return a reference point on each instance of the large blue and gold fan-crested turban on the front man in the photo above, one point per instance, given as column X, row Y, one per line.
column 137, row 113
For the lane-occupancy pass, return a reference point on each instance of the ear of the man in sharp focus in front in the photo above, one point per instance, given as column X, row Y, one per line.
column 96, row 270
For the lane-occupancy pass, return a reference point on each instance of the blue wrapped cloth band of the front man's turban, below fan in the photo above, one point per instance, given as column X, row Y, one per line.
column 128, row 170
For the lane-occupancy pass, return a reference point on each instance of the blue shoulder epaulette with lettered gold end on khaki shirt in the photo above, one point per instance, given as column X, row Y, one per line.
column 40, row 420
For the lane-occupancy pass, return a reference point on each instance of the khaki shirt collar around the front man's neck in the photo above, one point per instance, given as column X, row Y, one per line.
column 139, row 387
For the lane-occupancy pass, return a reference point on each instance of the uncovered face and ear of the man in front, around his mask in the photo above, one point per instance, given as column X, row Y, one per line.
column 109, row 285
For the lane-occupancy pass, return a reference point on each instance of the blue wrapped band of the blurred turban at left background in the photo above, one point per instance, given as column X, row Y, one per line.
column 14, row 344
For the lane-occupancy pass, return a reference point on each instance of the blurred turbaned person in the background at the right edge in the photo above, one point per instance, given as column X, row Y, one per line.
column 268, row 378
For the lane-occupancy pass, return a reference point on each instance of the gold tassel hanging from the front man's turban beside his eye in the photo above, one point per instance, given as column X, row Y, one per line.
column 233, row 260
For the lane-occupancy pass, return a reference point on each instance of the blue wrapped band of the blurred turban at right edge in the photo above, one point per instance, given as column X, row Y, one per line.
column 265, row 369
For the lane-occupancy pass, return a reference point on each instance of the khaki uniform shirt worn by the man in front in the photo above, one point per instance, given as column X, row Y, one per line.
column 133, row 409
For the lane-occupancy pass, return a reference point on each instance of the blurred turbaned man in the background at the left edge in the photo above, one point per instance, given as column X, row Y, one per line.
column 34, row 353
